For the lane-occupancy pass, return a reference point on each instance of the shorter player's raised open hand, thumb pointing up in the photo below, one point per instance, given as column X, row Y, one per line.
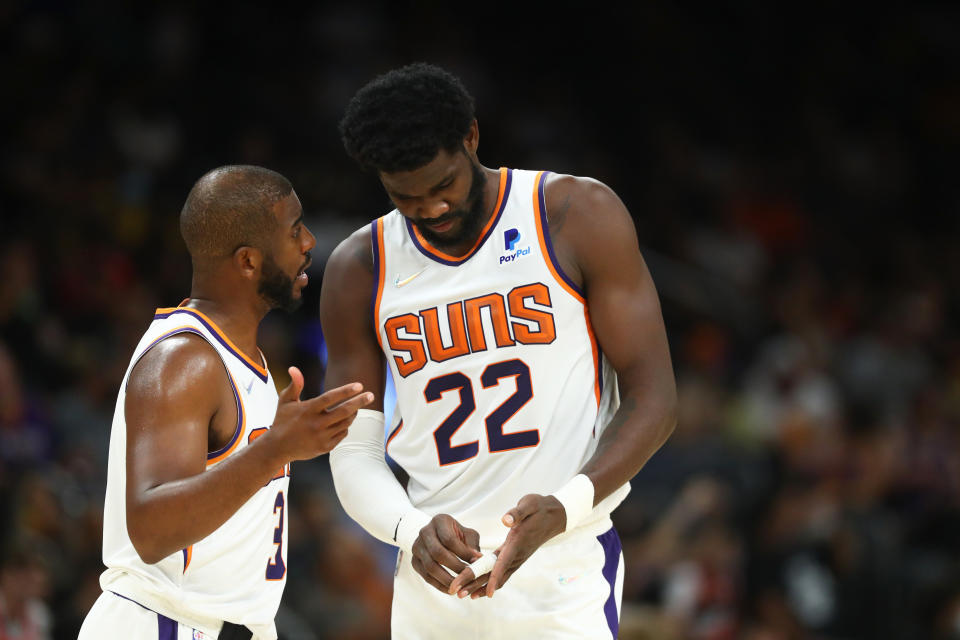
column 305, row 429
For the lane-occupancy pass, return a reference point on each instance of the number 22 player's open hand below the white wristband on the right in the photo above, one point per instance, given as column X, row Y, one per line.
column 532, row 522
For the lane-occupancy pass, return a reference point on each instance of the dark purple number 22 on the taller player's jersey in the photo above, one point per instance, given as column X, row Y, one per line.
column 497, row 440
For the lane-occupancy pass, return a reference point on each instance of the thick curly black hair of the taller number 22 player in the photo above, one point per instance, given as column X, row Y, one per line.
column 400, row 120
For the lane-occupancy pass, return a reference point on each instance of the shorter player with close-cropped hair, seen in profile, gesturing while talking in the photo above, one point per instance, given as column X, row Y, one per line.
column 195, row 526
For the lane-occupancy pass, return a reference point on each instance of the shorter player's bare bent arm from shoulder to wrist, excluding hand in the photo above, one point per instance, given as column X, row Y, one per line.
column 174, row 394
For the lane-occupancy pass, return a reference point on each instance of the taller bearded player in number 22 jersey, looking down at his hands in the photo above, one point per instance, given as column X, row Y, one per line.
column 524, row 336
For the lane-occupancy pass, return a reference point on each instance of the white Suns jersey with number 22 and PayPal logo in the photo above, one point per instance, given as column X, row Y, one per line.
column 501, row 388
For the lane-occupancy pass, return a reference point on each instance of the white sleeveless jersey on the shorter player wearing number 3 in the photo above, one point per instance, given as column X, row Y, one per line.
column 237, row 573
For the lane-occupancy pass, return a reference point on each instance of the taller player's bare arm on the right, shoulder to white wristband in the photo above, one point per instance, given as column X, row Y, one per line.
column 597, row 245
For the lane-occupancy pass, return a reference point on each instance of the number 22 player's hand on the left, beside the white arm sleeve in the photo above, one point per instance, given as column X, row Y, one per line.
column 444, row 542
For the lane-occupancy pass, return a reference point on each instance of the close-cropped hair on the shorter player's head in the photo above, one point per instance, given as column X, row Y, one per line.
column 230, row 207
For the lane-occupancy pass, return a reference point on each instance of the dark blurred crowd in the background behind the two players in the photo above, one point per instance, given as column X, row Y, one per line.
column 788, row 174
